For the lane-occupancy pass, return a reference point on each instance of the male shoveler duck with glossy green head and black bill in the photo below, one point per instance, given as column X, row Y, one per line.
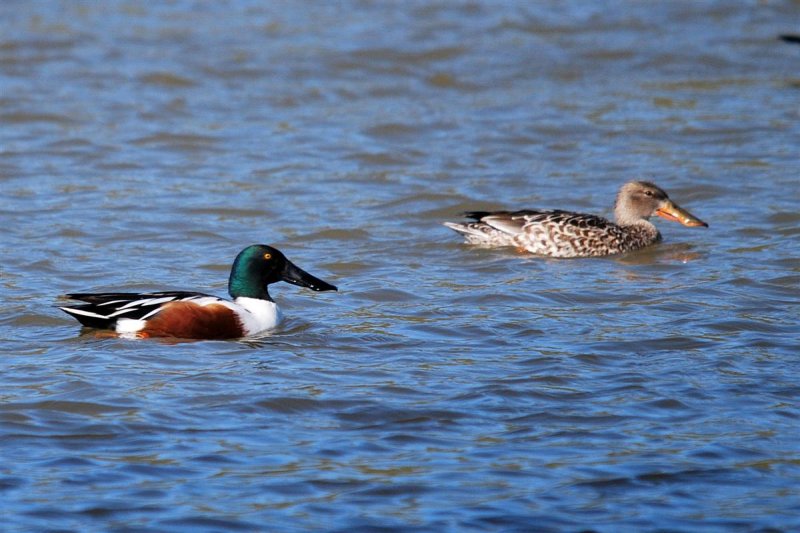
column 194, row 315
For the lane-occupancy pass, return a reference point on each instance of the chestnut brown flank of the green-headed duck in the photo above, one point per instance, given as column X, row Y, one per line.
column 187, row 320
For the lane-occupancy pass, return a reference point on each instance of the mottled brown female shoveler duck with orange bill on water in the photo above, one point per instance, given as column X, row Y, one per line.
column 565, row 234
